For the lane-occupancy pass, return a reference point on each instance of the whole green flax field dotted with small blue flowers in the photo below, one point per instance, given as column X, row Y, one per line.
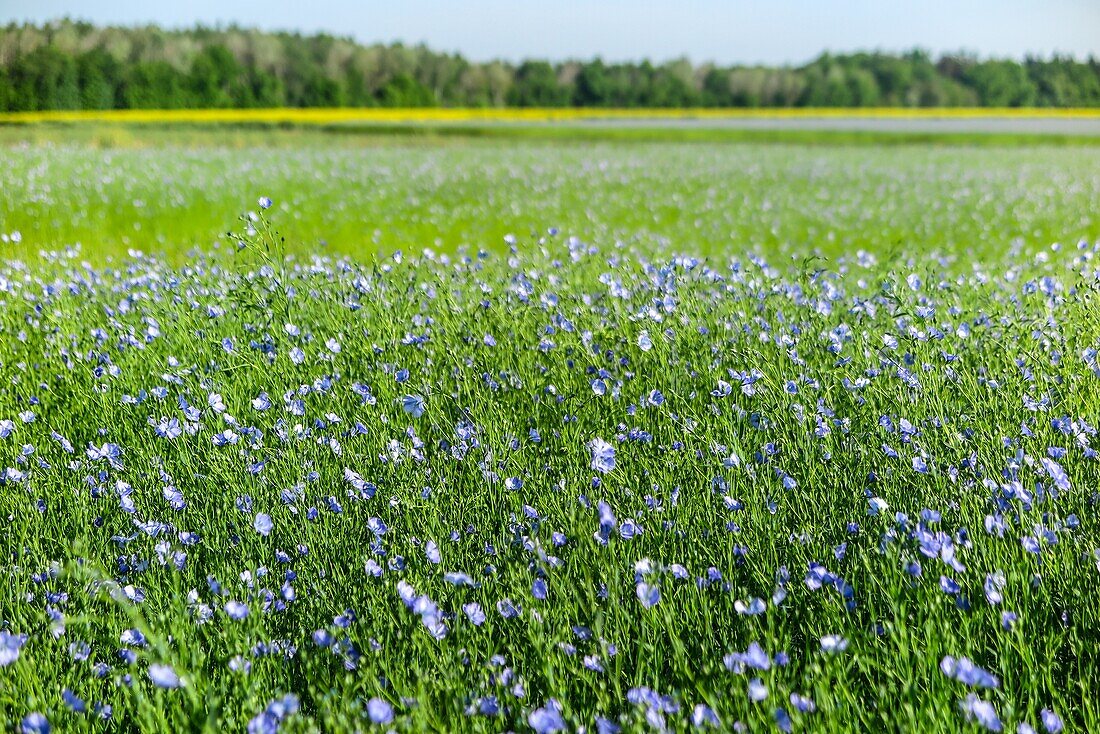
column 314, row 432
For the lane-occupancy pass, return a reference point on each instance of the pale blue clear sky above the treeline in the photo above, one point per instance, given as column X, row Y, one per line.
column 724, row 31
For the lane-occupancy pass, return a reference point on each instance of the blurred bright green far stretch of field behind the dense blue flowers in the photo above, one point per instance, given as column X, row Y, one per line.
column 355, row 195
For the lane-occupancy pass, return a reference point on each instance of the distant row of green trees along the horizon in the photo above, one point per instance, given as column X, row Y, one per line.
column 70, row 65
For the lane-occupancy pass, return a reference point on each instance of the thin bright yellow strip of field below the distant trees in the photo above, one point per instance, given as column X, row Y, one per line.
column 326, row 116
